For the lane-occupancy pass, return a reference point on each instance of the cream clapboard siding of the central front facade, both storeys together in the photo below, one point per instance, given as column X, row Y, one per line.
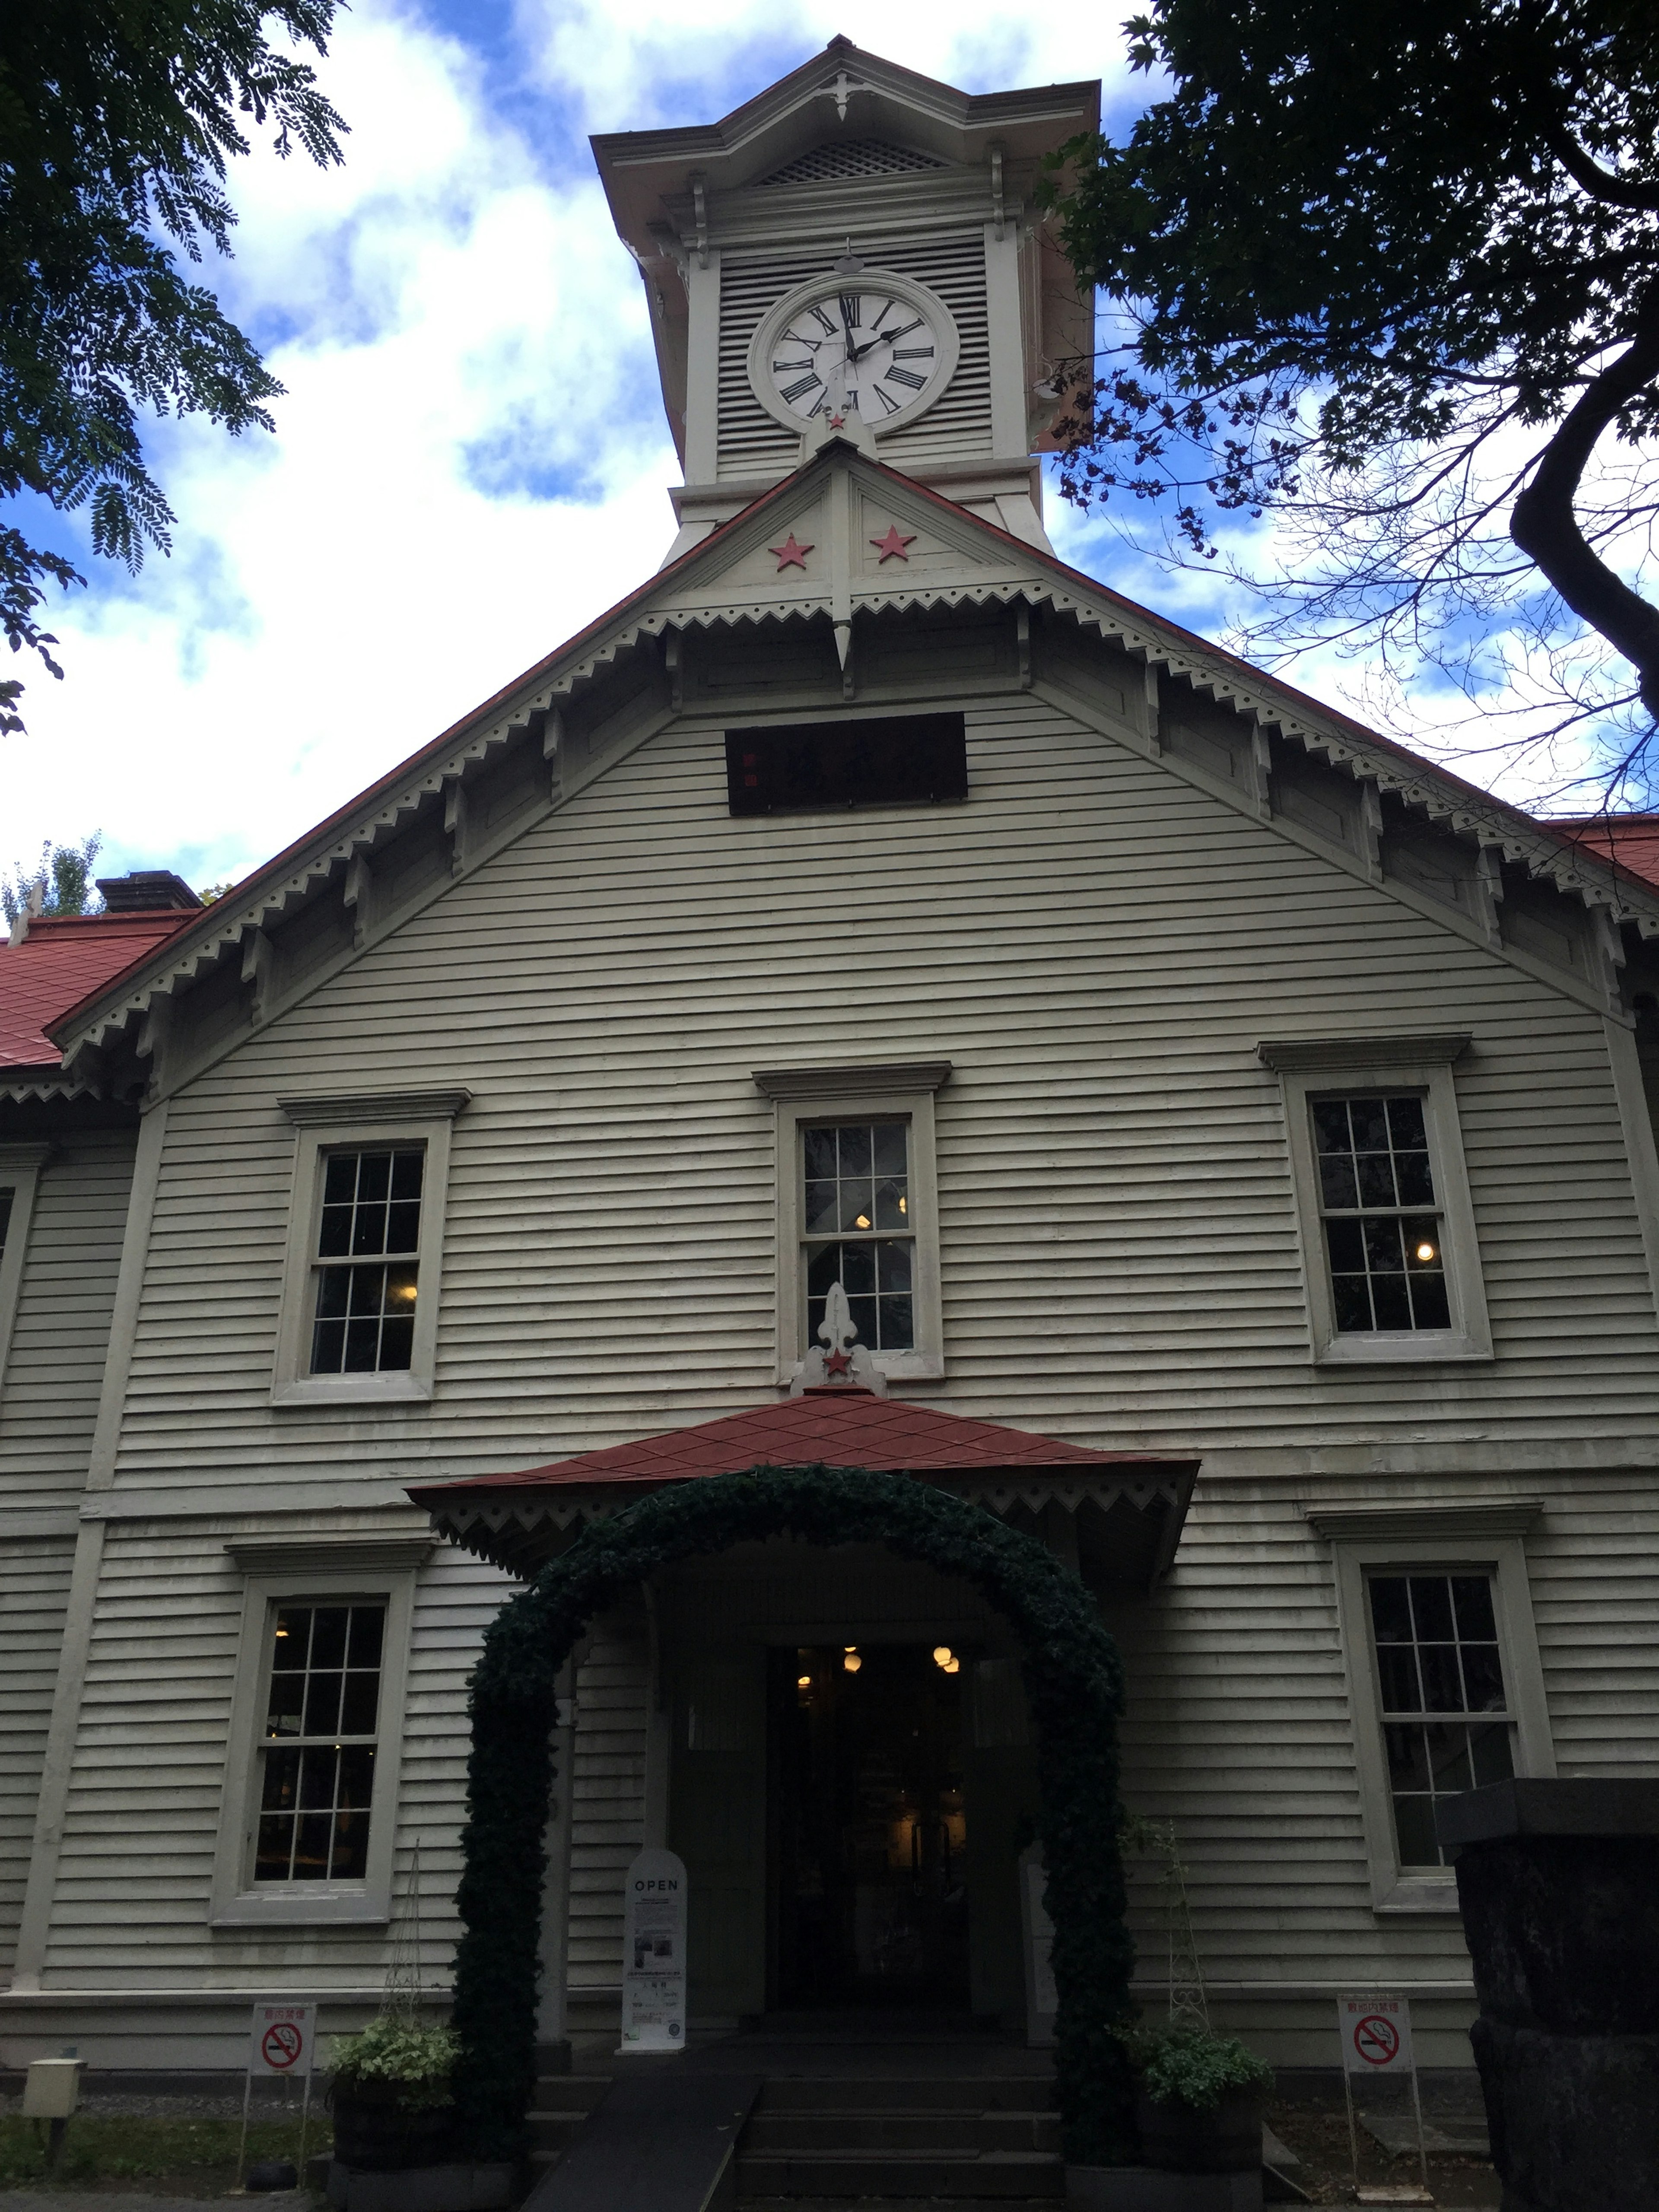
column 1096, row 946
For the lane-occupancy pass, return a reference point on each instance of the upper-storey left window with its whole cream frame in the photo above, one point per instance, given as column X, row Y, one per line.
column 359, row 1319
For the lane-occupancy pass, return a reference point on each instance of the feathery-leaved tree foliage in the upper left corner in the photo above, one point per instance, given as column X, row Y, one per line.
column 116, row 127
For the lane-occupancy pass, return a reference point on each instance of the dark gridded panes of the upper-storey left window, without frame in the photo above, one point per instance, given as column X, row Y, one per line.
column 368, row 1262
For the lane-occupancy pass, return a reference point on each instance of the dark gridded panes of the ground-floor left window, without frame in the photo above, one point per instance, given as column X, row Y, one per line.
column 317, row 1753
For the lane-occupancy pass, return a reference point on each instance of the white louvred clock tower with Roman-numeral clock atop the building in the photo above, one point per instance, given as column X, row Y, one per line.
column 855, row 253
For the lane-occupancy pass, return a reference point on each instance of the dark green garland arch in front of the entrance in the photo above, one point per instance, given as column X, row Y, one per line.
column 1074, row 1682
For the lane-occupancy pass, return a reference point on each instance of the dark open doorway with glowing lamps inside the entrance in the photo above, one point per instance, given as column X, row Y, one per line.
column 870, row 1903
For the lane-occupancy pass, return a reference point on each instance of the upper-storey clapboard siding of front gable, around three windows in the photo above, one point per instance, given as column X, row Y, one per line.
column 1096, row 946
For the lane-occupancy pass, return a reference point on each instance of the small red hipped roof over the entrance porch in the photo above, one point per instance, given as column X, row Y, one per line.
column 844, row 1428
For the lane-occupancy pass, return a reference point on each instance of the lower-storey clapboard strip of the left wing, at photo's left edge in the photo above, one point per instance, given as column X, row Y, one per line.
column 34, row 1592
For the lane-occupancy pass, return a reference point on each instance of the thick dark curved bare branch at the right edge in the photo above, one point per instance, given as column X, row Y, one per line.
column 1547, row 530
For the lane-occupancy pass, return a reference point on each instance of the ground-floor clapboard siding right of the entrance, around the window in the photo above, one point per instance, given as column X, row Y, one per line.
column 1240, row 1724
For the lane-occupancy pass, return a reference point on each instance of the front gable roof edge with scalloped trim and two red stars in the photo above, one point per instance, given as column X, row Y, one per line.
column 724, row 583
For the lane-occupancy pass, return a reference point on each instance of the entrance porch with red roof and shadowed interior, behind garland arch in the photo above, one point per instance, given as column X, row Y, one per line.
column 835, row 1740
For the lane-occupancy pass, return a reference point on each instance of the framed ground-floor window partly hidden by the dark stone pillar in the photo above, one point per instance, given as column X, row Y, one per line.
column 1443, row 1671
